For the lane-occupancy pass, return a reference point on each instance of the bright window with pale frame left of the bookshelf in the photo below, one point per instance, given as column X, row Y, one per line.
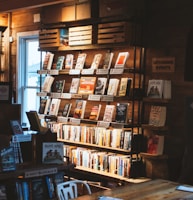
column 28, row 81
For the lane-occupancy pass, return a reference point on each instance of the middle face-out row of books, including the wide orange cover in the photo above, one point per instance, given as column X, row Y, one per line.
column 89, row 85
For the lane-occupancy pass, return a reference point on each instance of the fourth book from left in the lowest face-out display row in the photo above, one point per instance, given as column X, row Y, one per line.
column 79, row 109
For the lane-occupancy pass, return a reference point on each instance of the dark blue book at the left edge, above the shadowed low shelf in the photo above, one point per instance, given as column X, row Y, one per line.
column 7, row 159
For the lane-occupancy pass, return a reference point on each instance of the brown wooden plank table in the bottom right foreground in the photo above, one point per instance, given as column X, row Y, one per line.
column 151, row 190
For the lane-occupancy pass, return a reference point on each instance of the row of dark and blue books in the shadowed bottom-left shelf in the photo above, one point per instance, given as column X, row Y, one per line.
column 39, row 188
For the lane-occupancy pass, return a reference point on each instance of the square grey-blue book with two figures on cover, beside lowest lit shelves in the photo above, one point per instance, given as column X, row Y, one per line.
column 52, row 153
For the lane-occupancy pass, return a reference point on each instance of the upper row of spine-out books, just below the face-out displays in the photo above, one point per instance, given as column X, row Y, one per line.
column 115, row 138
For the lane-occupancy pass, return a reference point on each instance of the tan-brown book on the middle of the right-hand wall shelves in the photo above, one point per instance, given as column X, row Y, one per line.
column 157, row 115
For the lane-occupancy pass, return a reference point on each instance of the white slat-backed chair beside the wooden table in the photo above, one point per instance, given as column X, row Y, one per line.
column 69, row 189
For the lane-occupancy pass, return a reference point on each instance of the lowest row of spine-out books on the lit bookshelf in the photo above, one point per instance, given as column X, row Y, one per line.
column 99, row 160
